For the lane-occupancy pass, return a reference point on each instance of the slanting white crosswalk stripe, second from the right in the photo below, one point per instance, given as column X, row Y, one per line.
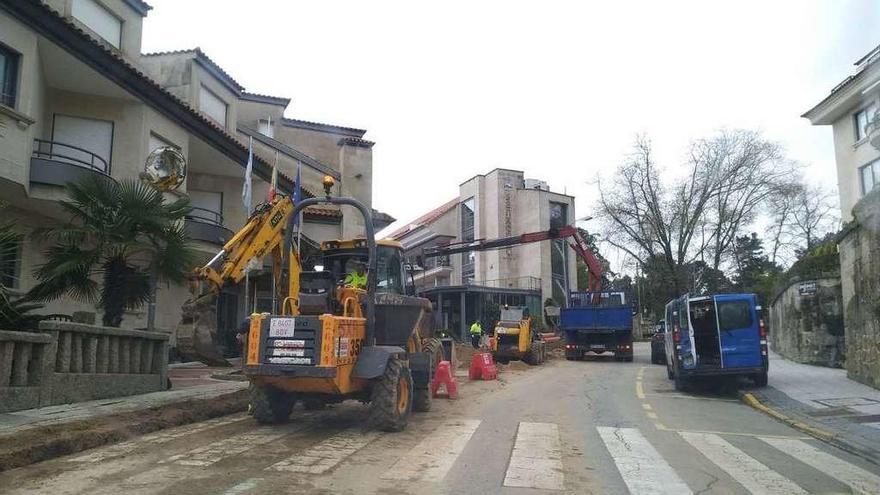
column 748, row 472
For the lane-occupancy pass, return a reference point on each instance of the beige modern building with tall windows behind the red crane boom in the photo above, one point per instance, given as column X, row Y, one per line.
column 500, row 203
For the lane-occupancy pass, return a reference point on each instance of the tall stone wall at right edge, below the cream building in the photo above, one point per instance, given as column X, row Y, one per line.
column 859, row 246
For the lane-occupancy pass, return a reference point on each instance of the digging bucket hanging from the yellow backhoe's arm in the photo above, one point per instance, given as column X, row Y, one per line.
column 197, row 330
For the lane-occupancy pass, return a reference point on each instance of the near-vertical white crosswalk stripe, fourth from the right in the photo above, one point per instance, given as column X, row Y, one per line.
column 536, row 460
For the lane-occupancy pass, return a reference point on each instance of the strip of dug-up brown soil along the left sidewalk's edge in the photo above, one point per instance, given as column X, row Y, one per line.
column 47, row 442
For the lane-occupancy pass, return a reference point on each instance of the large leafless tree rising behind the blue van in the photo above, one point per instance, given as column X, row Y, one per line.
column 730, row 176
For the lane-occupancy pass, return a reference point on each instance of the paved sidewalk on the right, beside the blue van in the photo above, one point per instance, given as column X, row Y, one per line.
column 826, row 399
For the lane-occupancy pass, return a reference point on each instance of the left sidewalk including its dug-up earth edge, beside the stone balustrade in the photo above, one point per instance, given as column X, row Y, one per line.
column 33, row 435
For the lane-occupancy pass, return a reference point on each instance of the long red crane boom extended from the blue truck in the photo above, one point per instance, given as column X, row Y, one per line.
column 580, row 246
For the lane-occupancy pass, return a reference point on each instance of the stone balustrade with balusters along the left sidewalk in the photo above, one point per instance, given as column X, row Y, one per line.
column 72, row 362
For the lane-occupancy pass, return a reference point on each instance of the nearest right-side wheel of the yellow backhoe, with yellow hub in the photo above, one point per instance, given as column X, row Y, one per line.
column 391, row 398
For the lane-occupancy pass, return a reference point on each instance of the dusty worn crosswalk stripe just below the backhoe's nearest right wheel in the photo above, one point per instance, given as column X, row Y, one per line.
column 326, row 455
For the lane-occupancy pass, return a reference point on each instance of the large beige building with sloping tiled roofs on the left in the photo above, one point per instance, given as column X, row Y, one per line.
column 79, row 99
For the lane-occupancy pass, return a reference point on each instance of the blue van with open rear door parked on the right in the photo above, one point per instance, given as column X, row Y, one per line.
column 715, row 335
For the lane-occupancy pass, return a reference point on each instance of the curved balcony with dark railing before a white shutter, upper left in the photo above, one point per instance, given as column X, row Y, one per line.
column 54, row 163
